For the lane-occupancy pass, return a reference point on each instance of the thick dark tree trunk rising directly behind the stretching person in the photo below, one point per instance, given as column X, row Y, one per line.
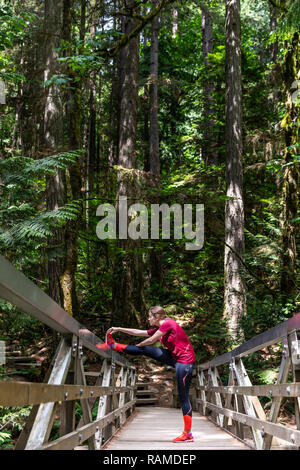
column 128, row 295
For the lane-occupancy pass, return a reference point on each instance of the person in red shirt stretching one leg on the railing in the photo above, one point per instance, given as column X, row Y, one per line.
column 179, row 354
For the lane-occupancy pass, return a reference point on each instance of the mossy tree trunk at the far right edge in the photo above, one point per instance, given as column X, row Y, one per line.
column 290, row 75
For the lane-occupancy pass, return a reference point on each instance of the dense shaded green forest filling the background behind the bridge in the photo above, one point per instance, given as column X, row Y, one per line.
column 66, row 147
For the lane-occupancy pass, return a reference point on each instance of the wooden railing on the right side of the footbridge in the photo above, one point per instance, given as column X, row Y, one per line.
column 236, row 407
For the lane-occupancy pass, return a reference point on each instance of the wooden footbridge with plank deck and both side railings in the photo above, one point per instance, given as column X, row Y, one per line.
column 106, row 415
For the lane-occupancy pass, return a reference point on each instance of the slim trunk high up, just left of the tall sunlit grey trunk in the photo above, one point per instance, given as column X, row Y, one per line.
column 209, row 146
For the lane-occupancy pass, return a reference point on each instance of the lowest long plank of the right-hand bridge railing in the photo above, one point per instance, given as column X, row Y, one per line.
column 278, row 430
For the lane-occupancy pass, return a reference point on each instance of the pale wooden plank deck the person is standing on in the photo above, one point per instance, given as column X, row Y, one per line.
column 155, row 427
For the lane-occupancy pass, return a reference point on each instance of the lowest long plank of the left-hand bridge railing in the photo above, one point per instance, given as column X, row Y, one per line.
column 71, row 440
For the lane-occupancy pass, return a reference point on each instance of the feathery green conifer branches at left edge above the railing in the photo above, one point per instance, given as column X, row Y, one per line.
column 24, row 222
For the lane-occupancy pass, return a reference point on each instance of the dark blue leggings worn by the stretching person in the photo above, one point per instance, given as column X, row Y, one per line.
column 183, row 371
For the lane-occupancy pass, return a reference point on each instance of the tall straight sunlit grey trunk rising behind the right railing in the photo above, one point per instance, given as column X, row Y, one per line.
column 235, row 298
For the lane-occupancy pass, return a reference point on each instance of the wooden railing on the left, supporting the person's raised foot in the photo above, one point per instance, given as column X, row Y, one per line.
column 105, row 405
